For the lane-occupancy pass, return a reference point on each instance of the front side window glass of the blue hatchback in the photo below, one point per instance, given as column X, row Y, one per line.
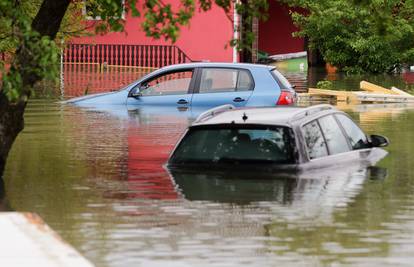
column 172, row 83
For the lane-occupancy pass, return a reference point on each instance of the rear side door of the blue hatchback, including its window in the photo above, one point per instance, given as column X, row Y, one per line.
column 219, row 86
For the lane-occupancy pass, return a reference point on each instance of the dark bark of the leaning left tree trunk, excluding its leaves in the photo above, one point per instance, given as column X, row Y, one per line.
column 47, row 23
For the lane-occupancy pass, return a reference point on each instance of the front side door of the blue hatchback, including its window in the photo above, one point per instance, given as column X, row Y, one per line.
column 172, row 88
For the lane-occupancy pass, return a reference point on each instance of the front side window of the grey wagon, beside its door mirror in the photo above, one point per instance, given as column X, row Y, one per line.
column 355, row 135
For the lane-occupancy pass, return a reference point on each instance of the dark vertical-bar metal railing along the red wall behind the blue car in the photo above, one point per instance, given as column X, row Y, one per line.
column 145, row 56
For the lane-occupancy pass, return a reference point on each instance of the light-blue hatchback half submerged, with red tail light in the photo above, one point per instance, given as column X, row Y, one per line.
column 202, row 84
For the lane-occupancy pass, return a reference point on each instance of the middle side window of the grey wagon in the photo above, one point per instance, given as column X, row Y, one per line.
column 334, row 136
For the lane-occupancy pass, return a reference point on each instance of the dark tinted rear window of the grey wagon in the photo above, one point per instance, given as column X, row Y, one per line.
column 233, row 144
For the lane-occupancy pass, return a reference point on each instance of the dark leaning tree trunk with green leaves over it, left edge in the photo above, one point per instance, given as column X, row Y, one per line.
column 33, row 54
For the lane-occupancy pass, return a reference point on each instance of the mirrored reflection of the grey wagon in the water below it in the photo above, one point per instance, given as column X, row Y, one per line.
column 326, row 186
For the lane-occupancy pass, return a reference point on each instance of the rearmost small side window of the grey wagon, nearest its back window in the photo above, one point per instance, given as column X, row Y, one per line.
column 314, row 140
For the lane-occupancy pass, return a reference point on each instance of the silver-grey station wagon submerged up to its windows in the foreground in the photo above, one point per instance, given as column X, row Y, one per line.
column 291, row 138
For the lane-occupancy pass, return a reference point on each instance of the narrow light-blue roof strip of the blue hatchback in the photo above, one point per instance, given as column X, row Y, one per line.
column 217, row 65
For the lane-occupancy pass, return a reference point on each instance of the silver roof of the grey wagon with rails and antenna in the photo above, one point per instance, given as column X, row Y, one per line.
column 285, row 116
